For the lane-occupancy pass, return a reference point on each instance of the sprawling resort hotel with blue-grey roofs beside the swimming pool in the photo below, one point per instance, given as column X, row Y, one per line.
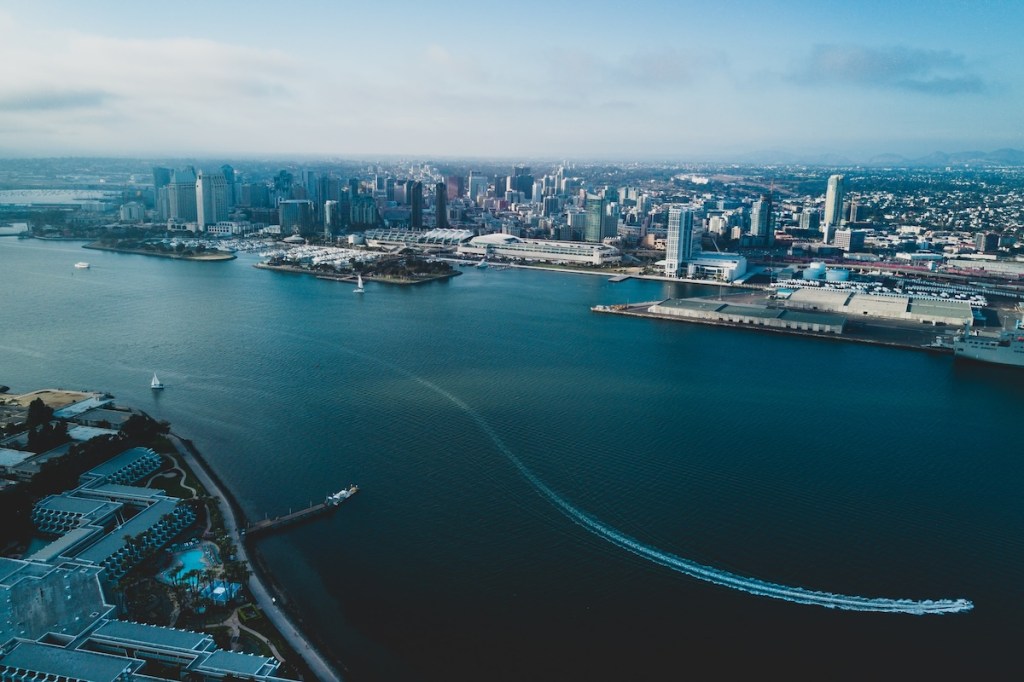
column 58, row 613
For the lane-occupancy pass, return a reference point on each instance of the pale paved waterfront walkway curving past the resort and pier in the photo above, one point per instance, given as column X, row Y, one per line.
column 261, row 593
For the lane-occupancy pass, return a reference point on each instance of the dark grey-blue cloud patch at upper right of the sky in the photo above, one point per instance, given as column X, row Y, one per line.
column 929, row 72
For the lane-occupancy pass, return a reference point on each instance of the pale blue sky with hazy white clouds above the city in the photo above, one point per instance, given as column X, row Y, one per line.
column 630, row 80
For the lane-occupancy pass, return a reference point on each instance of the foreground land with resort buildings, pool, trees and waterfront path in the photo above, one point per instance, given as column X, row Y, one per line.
column 121, row 540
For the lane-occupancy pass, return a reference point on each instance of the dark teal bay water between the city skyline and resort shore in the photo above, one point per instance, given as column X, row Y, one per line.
column 478, row 414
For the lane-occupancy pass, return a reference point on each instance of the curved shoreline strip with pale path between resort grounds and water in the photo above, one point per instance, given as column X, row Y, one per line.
column 262, row 583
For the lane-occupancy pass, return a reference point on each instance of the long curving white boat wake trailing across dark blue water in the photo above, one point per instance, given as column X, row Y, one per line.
column 692, row 569
